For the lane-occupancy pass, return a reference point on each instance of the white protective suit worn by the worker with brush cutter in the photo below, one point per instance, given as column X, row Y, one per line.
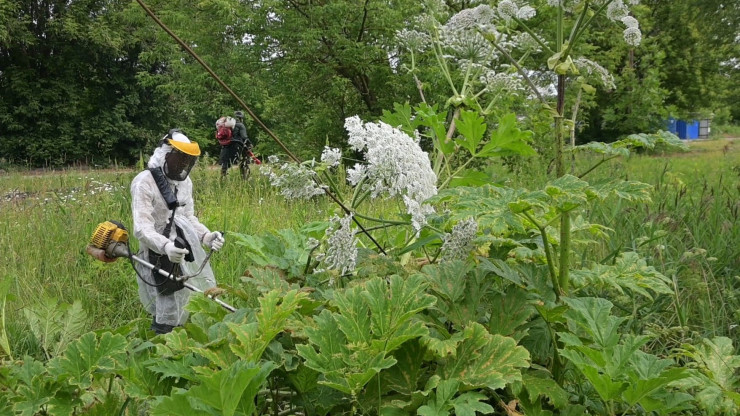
column 150, row 216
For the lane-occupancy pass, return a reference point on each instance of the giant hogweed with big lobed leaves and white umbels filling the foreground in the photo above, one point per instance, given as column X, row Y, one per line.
column 475, row 305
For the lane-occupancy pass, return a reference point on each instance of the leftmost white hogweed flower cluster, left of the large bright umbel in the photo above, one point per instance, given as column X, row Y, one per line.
column 294, row 181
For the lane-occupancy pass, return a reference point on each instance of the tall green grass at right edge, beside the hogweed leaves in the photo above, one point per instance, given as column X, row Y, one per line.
column 690, row 232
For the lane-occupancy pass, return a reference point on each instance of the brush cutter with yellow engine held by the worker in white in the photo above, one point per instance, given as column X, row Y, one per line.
column 110, row 241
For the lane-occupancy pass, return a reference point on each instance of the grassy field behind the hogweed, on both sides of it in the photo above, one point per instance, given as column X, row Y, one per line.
column 690, row 232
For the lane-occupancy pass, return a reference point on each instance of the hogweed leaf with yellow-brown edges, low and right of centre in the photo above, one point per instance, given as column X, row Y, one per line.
column 485, row 360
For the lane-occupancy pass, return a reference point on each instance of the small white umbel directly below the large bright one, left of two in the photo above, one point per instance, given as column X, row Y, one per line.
column 341, row 251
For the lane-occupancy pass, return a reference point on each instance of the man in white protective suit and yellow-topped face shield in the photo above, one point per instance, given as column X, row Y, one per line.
column 170, row 235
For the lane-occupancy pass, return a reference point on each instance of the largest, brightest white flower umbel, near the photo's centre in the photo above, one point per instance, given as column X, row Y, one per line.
column 395, row 166
